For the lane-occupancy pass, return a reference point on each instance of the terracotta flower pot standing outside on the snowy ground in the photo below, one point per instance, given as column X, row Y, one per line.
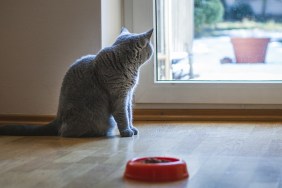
column 250, row 50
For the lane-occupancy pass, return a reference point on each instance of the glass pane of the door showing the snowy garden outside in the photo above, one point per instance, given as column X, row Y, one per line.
column 219, row 40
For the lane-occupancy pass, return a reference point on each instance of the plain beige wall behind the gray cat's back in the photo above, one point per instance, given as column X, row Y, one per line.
column 39, row 40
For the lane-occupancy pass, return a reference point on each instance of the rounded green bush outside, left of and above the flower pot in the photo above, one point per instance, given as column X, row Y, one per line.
column 207, row 12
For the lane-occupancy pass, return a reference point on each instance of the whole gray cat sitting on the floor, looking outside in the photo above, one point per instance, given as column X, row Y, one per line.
column 96, row 93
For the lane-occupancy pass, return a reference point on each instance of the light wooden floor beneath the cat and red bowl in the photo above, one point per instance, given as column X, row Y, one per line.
column 218, row 155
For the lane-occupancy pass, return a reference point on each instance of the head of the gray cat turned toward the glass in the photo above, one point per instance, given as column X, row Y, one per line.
column 138, row 45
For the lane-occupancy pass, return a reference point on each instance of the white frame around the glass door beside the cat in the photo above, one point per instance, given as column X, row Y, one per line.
column 138, row 17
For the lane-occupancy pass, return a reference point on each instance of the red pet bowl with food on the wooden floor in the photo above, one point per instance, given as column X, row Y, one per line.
column 156, row 169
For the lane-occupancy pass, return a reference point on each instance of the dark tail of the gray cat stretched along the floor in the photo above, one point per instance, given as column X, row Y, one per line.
column 51, row 129
